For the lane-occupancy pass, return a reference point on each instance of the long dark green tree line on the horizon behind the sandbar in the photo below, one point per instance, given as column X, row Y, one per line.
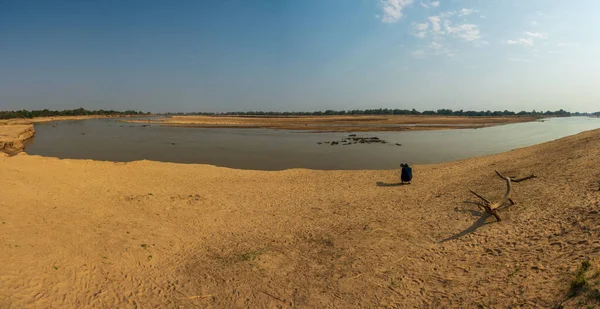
column 386, row 111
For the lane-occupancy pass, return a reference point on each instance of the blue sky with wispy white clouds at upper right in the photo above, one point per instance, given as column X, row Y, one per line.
column 280, row 55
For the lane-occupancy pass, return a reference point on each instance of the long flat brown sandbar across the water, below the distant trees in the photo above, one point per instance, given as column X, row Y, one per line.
column 339, row 123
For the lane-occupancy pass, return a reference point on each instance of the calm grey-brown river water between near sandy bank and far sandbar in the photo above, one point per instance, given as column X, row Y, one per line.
column 263, row 149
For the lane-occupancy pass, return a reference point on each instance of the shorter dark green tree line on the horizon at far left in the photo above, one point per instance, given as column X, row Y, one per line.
column 68, row 112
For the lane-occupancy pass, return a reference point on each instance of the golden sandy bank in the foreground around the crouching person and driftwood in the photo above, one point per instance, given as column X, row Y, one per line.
column 86, row 234
